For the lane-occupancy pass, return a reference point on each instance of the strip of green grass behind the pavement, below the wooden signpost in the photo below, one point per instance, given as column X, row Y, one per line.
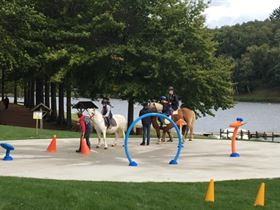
column 14, row 133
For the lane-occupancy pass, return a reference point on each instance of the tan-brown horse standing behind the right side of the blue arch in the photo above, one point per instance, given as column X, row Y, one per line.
column 184, row 113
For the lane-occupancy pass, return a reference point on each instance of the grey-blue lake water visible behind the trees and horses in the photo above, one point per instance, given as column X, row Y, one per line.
column 258, row 116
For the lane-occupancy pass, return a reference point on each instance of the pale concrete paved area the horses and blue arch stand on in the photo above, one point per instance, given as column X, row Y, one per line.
column 200, row 160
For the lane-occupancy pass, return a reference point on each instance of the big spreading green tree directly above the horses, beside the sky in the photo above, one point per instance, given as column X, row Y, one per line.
column 157, row 44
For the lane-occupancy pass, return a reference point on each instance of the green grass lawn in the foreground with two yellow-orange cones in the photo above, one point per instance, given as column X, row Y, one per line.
column 21, row 193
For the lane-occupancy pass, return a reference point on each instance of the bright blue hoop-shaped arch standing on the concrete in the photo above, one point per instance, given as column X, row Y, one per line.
column 172, row 162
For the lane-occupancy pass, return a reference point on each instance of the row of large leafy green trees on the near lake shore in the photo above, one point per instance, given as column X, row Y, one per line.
column 129, row 49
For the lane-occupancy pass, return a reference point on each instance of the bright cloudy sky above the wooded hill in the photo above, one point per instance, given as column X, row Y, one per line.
column 230, row 12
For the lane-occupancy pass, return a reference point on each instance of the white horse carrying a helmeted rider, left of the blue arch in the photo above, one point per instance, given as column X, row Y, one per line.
column 100, row 127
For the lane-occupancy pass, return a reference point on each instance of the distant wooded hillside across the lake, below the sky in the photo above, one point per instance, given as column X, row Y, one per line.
column 254, row 48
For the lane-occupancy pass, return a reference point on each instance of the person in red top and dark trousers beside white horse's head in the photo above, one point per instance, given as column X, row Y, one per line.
column 85, row 123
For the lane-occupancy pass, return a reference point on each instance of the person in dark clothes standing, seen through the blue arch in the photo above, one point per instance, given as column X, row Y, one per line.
column 146, row 123
